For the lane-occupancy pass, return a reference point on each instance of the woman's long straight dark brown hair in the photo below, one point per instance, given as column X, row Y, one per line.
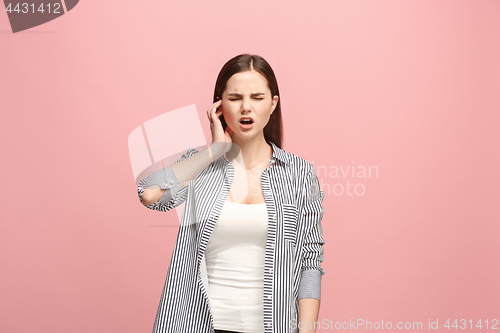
column 273, row 131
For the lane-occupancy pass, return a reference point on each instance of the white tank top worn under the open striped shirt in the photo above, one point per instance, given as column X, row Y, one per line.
column 235, row 266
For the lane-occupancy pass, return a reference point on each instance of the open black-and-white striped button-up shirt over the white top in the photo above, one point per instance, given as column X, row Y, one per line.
column 294, row 246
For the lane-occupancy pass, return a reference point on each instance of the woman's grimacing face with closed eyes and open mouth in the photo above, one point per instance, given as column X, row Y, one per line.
column 247, row 95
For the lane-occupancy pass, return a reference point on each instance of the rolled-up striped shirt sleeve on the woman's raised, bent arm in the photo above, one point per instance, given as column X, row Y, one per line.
column 175, row 193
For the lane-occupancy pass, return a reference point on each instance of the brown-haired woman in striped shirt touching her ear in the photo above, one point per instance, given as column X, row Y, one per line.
column 250, row 245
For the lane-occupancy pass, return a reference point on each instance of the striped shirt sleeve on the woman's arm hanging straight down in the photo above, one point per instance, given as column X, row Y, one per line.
column 312, row 248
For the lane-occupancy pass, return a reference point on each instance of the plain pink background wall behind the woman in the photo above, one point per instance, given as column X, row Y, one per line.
column 411, row 87
